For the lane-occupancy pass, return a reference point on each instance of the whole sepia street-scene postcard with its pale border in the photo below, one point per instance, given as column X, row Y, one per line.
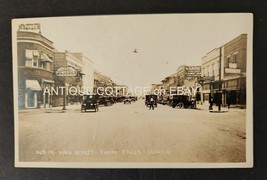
column 133, row 91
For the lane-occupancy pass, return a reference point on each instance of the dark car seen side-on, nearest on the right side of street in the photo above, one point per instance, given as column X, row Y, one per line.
column 183, row 101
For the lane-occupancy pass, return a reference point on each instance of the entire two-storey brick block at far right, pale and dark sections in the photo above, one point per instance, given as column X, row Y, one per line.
column 223, row 71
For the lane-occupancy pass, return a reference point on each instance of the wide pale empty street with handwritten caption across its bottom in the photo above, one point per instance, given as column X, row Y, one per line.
column 132, row 133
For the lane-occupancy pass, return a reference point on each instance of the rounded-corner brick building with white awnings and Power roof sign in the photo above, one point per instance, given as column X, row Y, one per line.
column 35, row 55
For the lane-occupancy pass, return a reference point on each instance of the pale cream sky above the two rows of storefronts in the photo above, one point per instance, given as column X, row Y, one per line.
column 163, row 41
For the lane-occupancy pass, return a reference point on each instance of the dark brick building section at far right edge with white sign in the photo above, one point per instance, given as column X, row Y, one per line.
column 234, row 71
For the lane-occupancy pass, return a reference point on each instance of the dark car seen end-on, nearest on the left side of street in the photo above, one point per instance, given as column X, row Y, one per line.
column 90, row 102
